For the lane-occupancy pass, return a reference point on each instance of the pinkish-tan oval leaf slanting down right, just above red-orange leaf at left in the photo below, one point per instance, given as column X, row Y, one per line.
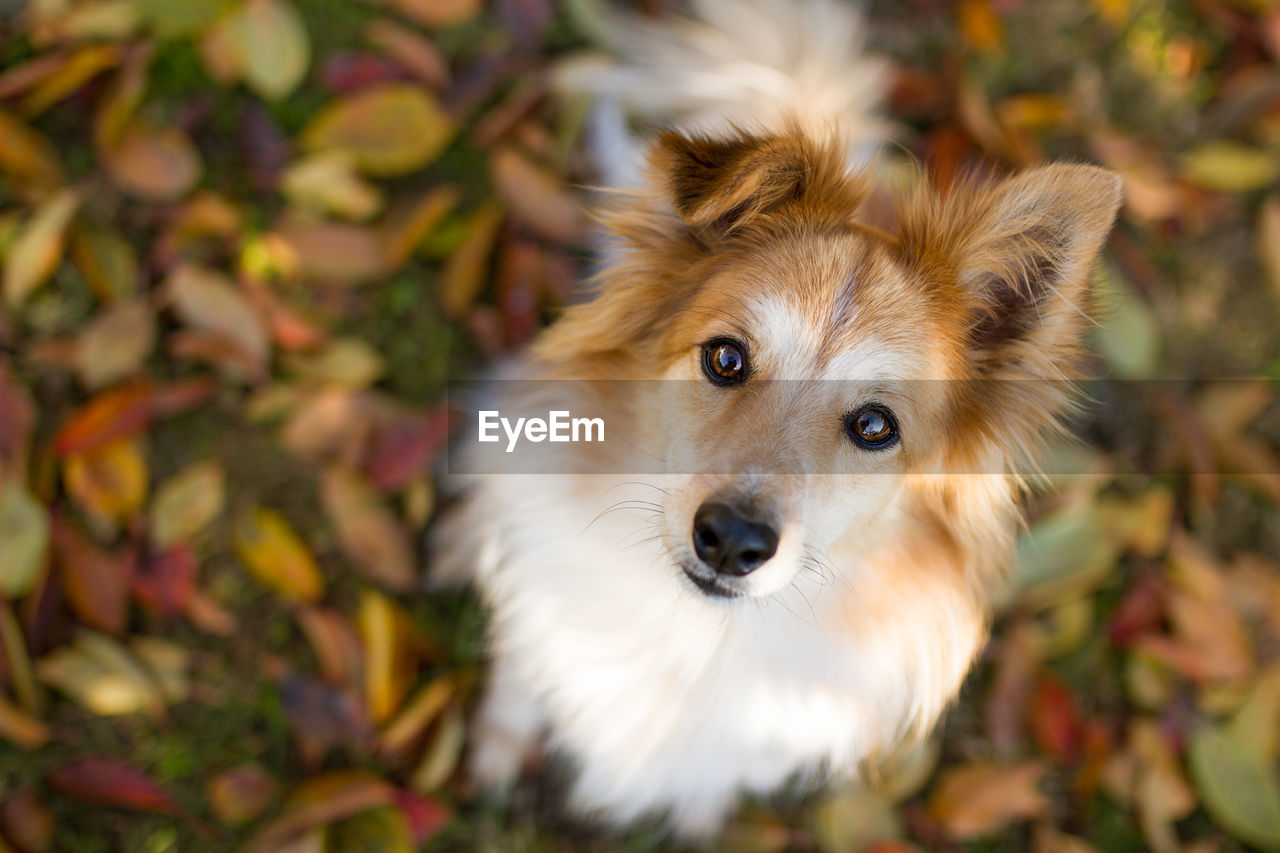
column 212, row 303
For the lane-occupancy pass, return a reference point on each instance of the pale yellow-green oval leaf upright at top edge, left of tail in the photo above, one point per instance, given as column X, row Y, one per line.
column 272, row 44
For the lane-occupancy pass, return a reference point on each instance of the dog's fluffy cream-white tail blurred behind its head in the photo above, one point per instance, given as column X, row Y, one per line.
column 733, row 65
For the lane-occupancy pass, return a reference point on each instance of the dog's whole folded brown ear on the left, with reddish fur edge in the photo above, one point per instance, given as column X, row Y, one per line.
column 725, row 184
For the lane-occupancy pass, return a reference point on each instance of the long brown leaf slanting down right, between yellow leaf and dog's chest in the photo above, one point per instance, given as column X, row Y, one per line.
column 371, row 536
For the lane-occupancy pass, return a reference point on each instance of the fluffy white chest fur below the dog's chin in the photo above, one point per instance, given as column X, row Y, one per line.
column 664, row 700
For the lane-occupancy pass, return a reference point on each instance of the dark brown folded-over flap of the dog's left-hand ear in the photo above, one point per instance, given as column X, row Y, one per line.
column 726, row 183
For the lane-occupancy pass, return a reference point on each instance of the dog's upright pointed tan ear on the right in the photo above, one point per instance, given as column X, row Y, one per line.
column 1022, row 254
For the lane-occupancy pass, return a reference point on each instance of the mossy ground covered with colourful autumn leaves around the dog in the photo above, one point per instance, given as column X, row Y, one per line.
column 245, row 245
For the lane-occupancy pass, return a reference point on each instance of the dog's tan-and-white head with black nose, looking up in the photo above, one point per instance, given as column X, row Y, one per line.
column 830, row 368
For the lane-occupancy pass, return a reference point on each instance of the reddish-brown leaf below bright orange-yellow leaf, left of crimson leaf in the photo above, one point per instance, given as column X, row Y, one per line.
column 97, row 582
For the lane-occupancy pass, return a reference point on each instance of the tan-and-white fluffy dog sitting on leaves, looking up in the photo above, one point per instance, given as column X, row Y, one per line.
column 838, row 398
